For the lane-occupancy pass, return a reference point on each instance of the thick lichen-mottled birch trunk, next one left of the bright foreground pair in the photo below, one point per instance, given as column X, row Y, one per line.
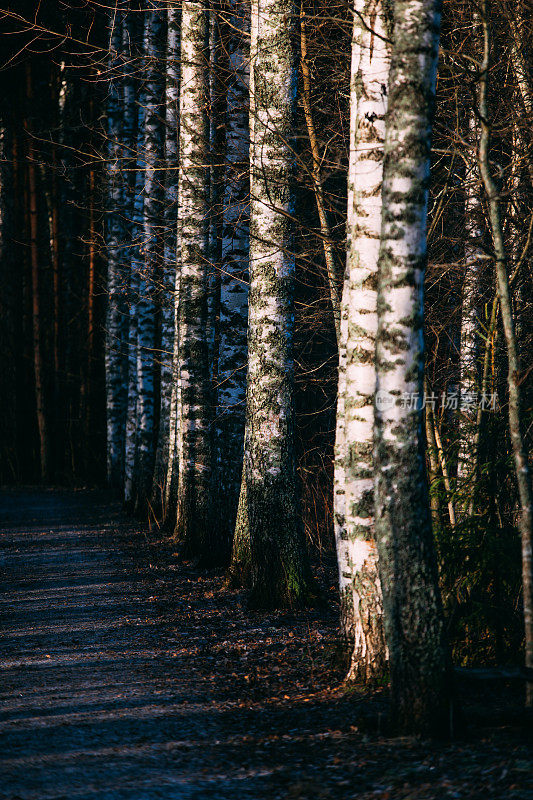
column 269, row 506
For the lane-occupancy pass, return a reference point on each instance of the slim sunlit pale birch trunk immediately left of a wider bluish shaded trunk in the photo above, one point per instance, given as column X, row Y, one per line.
column 194, row 451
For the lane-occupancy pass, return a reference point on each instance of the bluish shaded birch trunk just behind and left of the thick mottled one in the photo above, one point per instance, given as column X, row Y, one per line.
column 232, row 350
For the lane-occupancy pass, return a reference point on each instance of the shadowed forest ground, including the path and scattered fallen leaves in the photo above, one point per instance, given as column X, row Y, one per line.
column 125, row 674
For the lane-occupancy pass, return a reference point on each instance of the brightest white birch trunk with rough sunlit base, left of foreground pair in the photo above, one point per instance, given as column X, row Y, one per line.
column 360, row 591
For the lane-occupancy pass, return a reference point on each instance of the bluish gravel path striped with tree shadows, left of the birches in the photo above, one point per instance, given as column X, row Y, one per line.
column 90, row 704
